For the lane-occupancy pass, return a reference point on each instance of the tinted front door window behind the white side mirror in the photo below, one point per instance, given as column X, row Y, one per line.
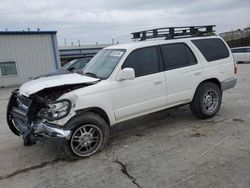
column 144, row 61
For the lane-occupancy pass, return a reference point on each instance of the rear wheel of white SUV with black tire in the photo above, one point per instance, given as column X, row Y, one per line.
column 198, row 105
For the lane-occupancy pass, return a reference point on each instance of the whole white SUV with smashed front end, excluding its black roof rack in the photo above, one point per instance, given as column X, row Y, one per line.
column 121, row 82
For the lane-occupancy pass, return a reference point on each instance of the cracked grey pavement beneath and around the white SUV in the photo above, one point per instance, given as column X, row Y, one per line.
column 170, row 148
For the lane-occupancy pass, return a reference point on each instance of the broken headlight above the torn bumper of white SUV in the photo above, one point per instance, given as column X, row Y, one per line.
column 55, row 110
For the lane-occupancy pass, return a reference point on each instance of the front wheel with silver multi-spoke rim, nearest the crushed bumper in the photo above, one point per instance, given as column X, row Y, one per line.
column 90, row 134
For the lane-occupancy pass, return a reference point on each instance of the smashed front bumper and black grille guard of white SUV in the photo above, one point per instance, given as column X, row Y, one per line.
column 22, row 121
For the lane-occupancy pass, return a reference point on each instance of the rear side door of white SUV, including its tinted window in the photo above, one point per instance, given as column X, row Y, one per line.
column 182, row 72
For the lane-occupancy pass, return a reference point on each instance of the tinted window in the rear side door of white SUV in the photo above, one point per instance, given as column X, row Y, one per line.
column 177, row 56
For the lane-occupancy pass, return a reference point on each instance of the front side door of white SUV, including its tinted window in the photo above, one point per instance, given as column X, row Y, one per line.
column 145, row 93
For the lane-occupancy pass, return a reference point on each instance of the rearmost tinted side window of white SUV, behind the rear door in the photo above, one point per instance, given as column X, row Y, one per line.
column 212, row 49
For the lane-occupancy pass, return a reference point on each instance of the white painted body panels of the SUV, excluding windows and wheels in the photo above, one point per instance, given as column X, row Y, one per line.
column 126, row 99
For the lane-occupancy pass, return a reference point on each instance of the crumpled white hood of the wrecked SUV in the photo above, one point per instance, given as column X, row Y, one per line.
column 39, row 84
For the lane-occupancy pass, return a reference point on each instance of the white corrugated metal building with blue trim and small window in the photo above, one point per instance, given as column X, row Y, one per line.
column 27, row 54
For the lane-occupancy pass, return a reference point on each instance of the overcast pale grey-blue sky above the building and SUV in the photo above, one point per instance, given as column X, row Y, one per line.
column 101, row 20
